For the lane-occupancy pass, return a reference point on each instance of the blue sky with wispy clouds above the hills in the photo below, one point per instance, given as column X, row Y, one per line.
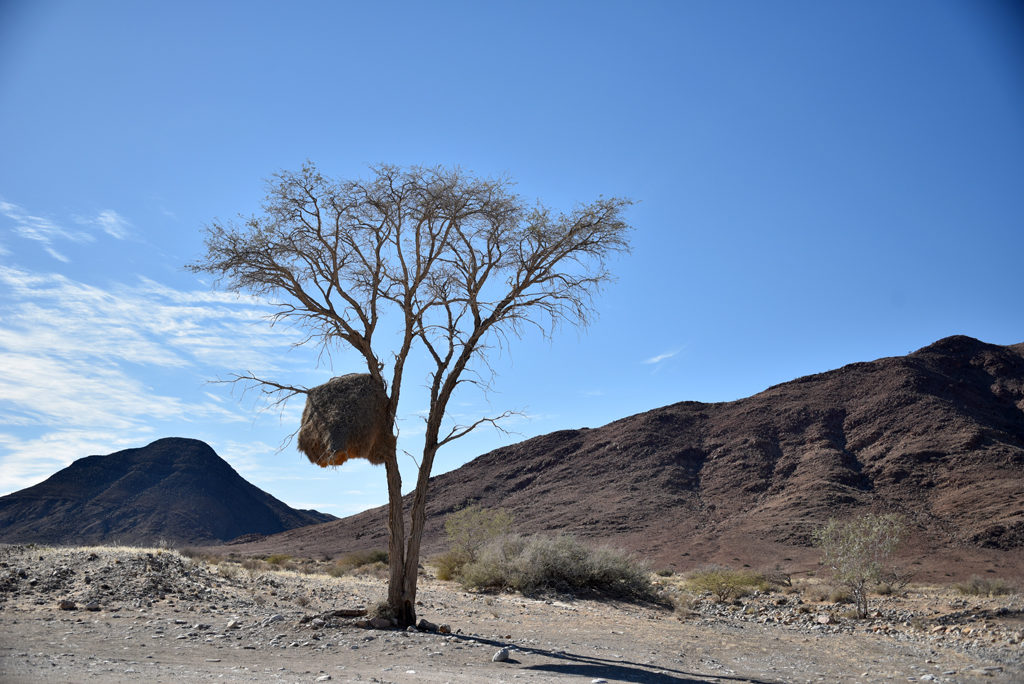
column 818, row 184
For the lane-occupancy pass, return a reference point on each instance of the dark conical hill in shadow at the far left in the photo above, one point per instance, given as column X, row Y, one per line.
column 175, row 490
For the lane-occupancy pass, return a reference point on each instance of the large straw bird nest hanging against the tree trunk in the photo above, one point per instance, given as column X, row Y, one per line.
column 347, row 418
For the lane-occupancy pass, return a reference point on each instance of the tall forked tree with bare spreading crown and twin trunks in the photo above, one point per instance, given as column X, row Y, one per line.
column 459, row 264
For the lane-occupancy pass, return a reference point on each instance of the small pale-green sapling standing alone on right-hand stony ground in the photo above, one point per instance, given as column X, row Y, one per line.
column 859, row 552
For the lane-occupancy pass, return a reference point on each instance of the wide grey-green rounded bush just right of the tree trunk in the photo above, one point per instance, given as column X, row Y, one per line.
column 542, row 565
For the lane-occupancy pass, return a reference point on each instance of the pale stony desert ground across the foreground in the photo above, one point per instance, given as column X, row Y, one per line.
column 111, row 615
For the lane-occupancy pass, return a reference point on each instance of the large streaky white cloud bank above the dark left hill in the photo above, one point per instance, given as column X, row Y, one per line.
column 87, row 369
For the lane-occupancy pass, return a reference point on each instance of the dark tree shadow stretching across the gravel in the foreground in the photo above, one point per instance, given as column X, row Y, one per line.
column 618, row 670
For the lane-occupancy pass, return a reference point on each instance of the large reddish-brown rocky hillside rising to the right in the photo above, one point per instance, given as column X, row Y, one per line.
column 937, row 436
